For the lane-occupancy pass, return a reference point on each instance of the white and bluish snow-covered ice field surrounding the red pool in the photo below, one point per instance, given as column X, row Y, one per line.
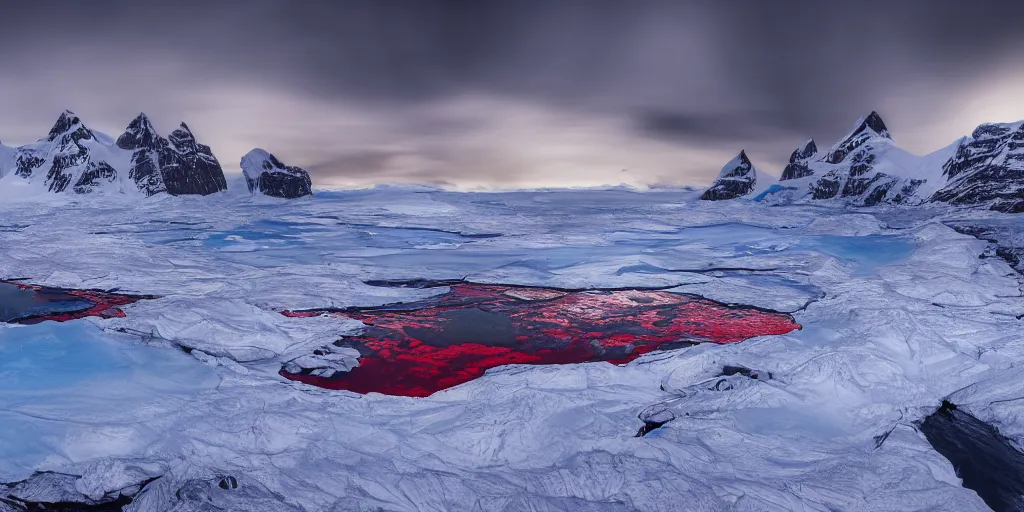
column 899, row 312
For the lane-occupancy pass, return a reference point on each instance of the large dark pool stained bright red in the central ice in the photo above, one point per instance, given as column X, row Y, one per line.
column 418, row 350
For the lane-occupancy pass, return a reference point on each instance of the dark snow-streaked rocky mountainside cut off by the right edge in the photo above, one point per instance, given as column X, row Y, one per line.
column 988, row 169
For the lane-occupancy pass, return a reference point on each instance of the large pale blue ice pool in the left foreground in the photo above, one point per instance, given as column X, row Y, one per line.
column 63, row 383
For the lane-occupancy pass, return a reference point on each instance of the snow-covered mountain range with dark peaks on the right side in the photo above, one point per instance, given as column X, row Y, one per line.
column 867, row 168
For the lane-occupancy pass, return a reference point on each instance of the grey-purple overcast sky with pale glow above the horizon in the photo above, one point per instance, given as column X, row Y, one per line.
column 516, row 93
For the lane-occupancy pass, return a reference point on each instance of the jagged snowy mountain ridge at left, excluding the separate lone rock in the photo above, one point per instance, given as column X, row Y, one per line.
column 75, row 159
